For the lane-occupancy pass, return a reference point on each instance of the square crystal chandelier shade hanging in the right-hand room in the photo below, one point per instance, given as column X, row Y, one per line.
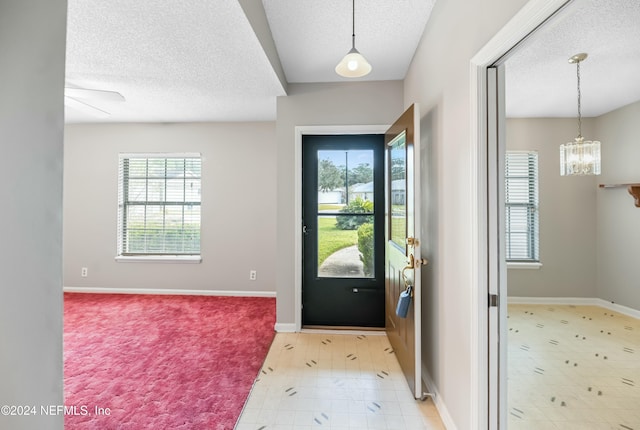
column 580, row 158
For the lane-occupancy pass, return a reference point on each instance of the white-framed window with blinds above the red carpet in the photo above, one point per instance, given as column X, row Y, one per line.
column 171, row 255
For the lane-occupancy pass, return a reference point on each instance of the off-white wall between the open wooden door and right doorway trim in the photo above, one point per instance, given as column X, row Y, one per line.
column 439, row 79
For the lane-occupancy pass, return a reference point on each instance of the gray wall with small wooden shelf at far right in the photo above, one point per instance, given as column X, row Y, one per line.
column 618, row 235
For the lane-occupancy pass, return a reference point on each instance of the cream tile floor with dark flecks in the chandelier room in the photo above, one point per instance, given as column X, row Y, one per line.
column 572, row 367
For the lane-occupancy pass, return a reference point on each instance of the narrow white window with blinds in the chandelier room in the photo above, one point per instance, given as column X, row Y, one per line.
column 532, row 241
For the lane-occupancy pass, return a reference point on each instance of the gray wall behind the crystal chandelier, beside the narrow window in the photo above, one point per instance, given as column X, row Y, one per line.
column 567, row 213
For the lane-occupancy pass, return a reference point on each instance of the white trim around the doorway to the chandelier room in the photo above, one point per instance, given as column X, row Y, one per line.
column 534, row 14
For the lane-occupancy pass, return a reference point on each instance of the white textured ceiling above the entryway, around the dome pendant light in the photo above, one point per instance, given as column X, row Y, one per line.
column 312, row 36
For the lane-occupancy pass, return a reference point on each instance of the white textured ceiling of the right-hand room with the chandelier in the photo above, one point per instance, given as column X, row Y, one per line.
column 540, row 82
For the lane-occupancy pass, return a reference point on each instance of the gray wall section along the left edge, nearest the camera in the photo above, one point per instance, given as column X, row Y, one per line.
column 32, row 44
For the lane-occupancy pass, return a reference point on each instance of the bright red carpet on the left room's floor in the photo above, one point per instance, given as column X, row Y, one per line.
column 161, row 362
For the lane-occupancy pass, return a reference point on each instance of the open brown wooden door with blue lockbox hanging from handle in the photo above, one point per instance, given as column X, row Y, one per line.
column 402, row 228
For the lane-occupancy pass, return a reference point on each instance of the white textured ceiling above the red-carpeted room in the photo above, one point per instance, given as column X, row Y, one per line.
column 195, row 60
